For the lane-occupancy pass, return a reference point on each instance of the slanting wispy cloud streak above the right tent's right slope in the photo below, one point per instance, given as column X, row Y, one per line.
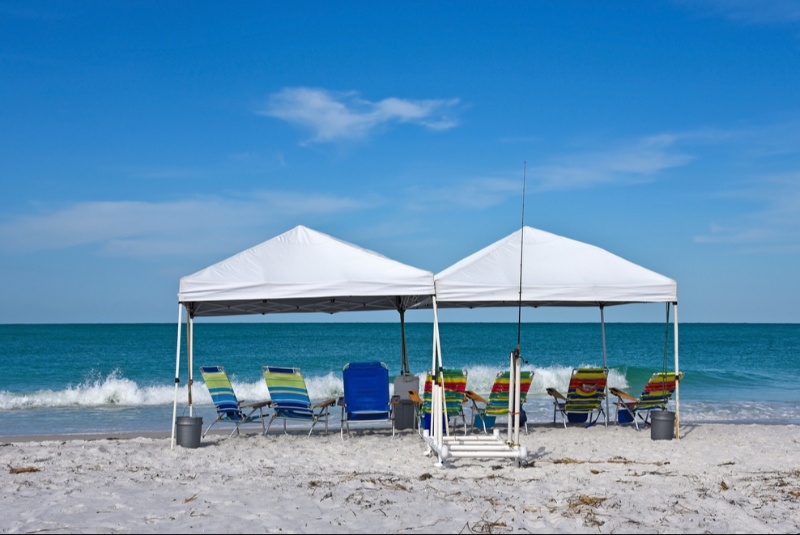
column 637, row 162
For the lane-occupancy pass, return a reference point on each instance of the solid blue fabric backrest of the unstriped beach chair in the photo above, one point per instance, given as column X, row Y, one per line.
column 366, row 387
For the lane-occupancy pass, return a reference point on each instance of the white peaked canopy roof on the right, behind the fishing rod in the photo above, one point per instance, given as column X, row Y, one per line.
column 557, row 271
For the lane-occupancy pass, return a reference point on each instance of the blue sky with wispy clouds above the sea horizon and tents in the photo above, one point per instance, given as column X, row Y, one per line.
column 140, row 142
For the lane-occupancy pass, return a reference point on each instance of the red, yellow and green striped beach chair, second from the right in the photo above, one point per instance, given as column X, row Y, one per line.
column 586, row 393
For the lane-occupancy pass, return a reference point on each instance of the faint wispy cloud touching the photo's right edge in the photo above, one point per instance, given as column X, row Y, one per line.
column 774, row 227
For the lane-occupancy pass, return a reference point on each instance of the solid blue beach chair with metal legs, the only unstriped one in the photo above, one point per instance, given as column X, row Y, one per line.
column 366, row 395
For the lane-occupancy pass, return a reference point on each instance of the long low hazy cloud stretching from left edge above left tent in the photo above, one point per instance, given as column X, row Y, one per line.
column 130, row 228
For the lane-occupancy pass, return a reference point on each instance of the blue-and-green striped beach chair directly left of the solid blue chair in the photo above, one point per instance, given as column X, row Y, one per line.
column 290, row 401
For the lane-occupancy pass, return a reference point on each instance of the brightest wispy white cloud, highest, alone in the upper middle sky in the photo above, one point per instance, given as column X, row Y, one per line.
column 332, row 116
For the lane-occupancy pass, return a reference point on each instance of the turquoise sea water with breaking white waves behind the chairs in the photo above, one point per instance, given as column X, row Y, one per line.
column 113, row 378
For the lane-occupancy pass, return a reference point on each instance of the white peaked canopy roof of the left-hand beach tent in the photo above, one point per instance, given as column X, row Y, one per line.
column 304, row 270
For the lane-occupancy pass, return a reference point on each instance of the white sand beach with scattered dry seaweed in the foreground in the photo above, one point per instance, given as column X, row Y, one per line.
column 716, row 478
